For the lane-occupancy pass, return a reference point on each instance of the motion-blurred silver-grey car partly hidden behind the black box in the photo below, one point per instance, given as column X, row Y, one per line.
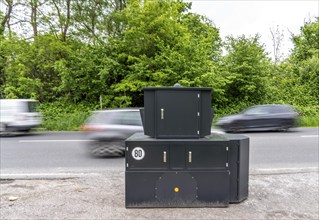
column 107, row 130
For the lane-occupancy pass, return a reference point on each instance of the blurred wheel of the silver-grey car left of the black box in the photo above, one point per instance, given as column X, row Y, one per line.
column 107, row 149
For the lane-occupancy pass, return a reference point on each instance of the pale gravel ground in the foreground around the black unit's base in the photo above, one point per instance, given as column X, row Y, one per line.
column 101, row 196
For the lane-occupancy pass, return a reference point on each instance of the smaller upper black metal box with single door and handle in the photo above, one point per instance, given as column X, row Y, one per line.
column 177, row 112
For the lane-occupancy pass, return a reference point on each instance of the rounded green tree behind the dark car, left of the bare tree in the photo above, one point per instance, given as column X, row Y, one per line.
column 246, row 65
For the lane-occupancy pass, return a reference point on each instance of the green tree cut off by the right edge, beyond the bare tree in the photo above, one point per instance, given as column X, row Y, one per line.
column 295, row 80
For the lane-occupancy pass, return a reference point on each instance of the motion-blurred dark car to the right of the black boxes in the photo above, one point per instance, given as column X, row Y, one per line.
column 261, row 118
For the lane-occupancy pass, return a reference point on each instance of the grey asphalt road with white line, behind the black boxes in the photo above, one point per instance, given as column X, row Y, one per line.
column 65, row 152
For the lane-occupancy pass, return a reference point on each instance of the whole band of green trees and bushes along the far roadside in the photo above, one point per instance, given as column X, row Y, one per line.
column 73, row 55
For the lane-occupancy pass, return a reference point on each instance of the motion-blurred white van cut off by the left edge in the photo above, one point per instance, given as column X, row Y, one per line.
column 19, row 115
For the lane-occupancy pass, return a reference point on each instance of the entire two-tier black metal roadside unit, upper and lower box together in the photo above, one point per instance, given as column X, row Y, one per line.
column 177, row 162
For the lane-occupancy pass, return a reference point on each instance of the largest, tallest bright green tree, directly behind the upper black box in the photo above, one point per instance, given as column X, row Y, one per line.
column 162, row 44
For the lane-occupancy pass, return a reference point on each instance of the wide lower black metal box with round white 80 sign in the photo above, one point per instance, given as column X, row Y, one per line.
column 205, row 172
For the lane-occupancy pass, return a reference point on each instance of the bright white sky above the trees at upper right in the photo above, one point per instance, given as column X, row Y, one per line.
column 258, row 16
